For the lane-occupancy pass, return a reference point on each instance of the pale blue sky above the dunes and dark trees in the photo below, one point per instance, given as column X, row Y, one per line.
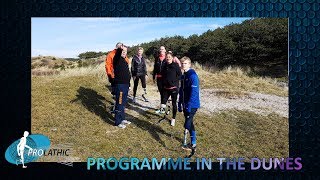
column 68, row 37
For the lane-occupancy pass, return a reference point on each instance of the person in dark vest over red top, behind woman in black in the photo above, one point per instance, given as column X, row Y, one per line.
column 159, row 64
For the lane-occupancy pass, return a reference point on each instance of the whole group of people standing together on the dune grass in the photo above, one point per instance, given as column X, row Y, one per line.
column 174, row 78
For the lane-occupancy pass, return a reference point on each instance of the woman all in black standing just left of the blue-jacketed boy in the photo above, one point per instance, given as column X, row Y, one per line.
column 171, row 76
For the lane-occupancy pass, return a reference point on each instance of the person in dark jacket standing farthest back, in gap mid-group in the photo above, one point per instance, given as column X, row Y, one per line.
column 139, row 72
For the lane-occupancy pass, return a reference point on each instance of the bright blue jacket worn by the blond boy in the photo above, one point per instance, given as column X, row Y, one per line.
column 189, row 96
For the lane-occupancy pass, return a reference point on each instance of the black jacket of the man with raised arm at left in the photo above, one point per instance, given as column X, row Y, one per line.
column 121, row 69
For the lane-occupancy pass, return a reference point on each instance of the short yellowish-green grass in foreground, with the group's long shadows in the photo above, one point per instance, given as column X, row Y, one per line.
column 76, row 107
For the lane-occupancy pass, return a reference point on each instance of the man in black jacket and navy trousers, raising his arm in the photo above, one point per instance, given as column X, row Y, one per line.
column 122, row 78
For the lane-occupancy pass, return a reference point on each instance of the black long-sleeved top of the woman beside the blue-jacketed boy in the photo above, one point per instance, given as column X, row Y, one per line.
column 171, row 75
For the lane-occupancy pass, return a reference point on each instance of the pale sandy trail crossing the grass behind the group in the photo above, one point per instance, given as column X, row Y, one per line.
column 212, row 102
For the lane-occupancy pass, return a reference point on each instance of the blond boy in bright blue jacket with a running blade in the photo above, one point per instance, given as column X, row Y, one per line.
column 189, row 100
